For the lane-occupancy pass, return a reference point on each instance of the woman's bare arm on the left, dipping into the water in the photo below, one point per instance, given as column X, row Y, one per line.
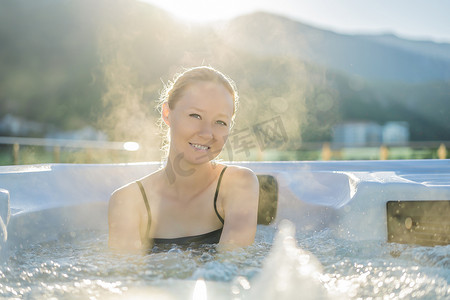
column 124, row 220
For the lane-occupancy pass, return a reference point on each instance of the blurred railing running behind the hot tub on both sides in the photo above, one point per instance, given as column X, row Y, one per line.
column 320, row 150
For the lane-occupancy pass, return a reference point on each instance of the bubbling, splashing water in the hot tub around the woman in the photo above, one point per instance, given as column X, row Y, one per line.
column 281, row 264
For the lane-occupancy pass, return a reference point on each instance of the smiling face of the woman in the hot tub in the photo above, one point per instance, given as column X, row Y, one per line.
column 200, row 122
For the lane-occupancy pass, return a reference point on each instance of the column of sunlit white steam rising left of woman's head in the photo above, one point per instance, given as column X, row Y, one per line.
column 128, row 116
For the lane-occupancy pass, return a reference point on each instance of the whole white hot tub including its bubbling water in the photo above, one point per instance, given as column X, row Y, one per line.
column 329, row 238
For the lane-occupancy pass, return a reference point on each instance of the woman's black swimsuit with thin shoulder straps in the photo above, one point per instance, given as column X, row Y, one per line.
column 212, row 237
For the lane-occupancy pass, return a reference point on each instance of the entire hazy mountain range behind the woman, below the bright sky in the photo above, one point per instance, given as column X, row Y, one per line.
column 73, row 63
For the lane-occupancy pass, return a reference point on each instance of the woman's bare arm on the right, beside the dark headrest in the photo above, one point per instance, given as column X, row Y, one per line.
column 240, row 206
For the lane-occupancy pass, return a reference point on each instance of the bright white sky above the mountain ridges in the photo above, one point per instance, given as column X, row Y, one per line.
column 411, row 19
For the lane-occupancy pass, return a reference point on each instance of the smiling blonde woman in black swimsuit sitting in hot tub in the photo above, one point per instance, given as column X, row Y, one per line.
column 192, row 200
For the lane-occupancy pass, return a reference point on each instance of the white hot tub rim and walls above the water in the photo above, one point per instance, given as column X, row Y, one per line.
column 44, row 201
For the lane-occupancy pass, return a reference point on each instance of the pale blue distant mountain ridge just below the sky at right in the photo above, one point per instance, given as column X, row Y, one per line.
column 384, row 57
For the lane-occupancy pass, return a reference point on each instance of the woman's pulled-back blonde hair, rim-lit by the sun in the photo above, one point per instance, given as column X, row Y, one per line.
column 174, row 90
